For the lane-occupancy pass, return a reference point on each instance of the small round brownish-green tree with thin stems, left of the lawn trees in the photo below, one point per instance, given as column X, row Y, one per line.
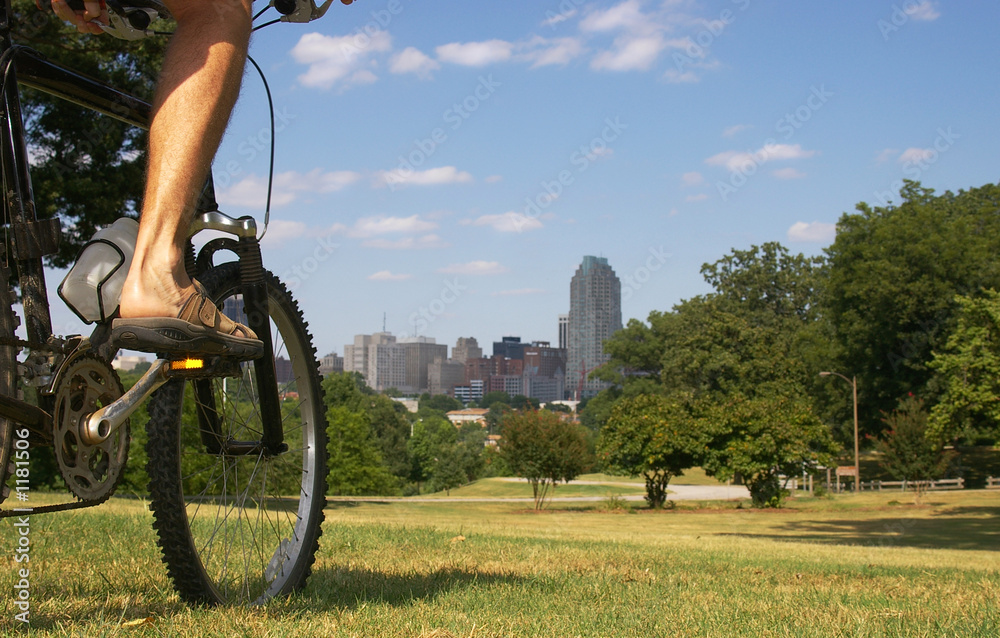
column 542, row 448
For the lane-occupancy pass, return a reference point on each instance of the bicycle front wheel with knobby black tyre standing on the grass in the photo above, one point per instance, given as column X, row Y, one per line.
column 238, row 527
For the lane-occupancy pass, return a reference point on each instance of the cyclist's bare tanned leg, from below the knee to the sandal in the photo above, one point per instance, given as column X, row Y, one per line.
column 194, row 97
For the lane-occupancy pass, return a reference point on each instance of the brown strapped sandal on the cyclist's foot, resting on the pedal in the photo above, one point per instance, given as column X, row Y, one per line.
column 198, row 329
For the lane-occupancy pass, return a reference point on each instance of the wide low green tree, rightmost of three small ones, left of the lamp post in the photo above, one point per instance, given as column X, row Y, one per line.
column 759, row 438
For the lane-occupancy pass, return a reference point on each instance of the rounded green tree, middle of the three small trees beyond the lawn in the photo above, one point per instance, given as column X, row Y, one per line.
column 651, row 436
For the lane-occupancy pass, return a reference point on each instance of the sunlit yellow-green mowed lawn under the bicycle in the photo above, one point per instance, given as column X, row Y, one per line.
column 868, row 565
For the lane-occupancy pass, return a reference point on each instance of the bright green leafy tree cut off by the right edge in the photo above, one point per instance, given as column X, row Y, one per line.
column 968, row 370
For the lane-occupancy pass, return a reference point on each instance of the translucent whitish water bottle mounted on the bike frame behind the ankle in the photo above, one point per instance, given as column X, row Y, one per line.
column 93, row 287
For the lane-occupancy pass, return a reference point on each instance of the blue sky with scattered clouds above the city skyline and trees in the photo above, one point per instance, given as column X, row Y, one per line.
column 448, row 164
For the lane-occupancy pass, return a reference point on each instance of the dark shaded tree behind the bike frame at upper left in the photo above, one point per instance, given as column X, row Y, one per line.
column 88, row 169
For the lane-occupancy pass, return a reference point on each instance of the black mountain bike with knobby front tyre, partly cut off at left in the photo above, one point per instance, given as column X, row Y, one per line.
column 237, row 466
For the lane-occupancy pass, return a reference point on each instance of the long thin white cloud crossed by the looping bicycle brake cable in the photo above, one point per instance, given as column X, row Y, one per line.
column 252, row 190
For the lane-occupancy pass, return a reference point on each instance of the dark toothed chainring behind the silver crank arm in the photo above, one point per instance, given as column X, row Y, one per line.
column 91, row 472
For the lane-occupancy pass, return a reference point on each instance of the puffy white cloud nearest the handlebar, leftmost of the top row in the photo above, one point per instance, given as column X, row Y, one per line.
column 340, row 60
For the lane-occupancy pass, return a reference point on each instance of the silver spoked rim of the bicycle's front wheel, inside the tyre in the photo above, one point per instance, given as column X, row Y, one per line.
column 249, row 515
